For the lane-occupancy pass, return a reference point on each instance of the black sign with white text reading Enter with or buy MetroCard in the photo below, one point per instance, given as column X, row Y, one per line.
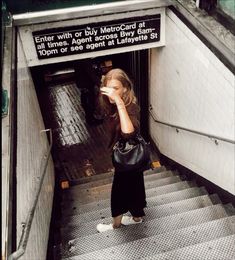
column 116, row 34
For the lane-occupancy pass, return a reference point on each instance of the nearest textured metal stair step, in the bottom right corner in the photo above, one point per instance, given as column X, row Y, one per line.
column 218, row 249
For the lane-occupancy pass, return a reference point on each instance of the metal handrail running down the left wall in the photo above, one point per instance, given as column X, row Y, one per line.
column 27, row 225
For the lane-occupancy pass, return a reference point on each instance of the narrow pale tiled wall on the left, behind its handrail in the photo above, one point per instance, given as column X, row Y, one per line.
column 31, row 147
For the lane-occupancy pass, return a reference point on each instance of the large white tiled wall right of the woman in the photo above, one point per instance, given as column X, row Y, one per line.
column 191, row 87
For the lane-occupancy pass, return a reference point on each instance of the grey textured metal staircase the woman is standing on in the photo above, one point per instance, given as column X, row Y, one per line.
column 182, row 222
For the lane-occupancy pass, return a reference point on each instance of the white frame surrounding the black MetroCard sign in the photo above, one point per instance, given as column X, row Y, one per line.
column 26, row 36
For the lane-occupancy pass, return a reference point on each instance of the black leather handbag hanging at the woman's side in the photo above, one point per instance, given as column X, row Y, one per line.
column 131, row 155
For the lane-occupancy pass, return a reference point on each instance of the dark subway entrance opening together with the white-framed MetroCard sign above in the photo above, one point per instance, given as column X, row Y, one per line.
column 59, row 57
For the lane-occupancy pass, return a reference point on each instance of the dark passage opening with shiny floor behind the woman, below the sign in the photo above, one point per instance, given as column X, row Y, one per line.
column 70, row 109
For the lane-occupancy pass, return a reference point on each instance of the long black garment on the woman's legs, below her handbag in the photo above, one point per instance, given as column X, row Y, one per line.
column 128, row 194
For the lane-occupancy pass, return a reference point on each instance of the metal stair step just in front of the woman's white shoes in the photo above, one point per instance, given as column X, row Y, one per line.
column 85, row 243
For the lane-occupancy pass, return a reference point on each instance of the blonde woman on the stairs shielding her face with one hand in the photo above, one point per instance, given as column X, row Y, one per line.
column 128, row 192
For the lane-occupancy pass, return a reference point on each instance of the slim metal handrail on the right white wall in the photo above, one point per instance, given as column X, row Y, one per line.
column 191, row 130
